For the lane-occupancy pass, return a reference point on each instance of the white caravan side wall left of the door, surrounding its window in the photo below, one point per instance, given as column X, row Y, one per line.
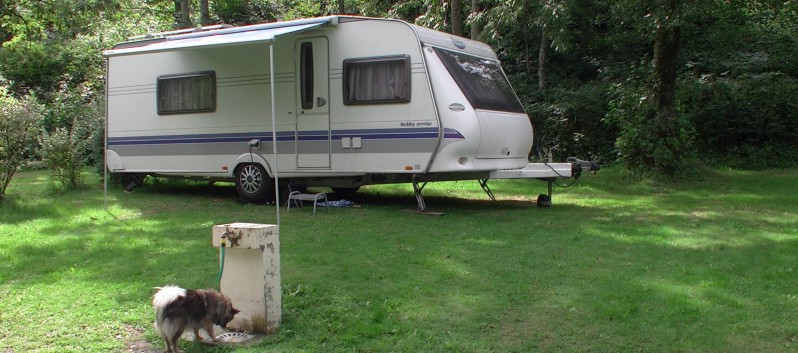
column 201, row 143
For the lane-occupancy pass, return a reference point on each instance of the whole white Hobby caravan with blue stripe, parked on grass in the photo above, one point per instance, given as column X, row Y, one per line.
column 335, row 101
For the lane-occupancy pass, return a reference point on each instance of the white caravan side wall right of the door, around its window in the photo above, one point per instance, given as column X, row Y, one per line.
column 397, row 137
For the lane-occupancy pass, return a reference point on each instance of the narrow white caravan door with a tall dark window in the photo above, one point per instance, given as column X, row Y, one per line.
column 313, row 93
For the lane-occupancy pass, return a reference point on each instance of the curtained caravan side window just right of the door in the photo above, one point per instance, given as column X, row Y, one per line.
column 377, row 80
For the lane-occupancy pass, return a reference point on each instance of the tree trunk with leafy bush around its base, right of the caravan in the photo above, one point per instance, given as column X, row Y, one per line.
column 655, row 140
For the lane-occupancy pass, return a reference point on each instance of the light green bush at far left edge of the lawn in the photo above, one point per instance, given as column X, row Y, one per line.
column 18, row 132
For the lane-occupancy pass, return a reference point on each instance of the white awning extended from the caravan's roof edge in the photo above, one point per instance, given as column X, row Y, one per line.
column 233, row 36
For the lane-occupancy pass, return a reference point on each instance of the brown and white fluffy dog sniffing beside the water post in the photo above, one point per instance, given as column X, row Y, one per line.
column 177, row 309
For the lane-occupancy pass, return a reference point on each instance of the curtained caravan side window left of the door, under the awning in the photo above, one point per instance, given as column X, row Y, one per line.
column 187, row 93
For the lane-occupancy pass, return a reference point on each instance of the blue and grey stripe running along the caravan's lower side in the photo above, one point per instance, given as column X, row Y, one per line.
column 266, row 136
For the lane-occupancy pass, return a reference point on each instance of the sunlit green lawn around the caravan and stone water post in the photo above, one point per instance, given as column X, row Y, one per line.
column 615, row 265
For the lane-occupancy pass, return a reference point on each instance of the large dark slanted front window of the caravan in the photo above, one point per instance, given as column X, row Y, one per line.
column 482, row 81
